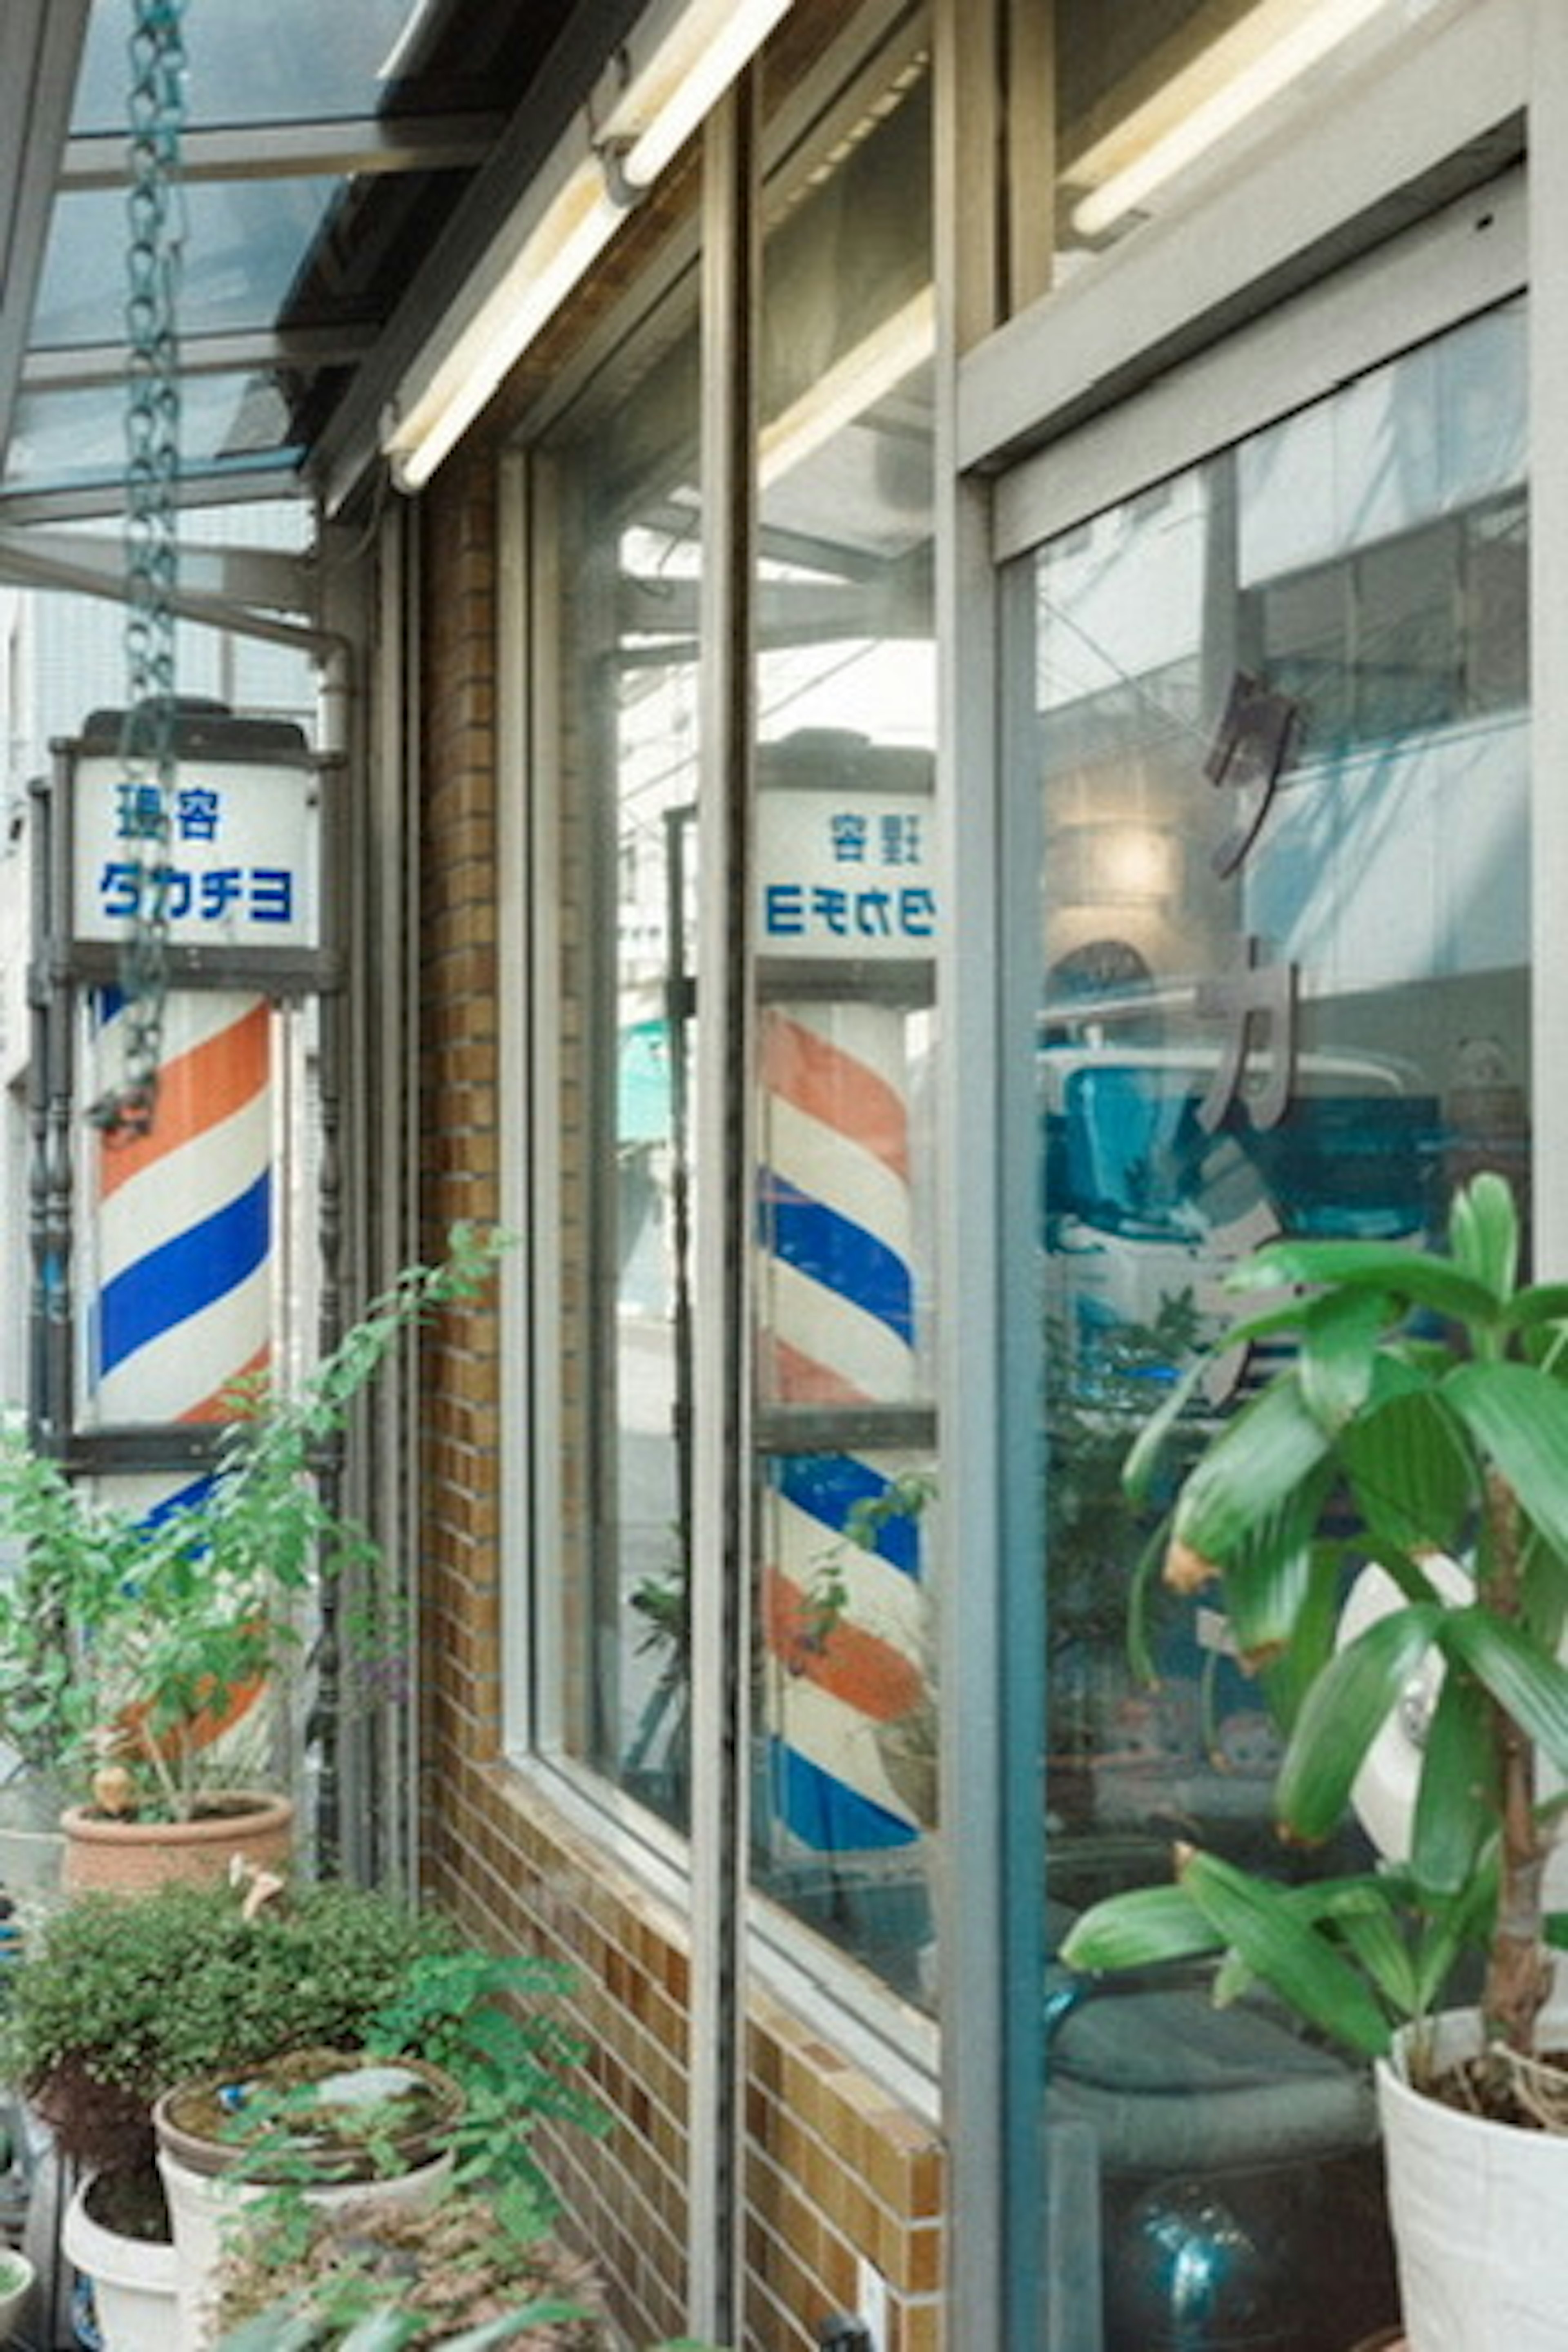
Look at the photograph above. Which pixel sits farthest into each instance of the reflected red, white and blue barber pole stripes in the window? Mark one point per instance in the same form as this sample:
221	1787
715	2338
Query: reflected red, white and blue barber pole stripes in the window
838	1330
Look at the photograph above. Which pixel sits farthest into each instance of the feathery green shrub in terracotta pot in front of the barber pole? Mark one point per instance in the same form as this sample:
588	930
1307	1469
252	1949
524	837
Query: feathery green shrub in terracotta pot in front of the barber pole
128	1641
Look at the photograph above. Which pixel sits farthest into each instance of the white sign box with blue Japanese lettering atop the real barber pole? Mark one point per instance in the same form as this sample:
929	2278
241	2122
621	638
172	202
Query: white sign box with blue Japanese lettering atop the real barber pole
232	862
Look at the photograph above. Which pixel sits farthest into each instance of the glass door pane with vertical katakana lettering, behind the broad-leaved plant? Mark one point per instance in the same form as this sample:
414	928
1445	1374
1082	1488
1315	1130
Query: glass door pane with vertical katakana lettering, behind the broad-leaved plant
1280	773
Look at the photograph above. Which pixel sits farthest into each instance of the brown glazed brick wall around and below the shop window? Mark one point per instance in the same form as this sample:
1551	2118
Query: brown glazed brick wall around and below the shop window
833	2165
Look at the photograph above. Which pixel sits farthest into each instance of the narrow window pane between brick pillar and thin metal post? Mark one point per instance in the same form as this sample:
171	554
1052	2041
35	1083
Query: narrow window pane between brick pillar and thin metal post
617	1060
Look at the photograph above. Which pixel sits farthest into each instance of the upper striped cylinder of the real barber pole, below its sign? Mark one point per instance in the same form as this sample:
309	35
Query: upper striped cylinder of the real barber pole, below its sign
185	1224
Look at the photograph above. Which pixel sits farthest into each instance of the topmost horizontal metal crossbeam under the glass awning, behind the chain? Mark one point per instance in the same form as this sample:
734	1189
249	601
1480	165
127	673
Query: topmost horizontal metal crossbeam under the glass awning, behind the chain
297	149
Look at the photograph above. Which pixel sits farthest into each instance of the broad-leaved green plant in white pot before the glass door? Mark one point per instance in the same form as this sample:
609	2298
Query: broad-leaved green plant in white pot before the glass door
1421	1436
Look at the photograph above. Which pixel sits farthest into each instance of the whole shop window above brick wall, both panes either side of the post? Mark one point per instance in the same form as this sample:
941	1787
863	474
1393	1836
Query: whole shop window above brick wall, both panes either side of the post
845	916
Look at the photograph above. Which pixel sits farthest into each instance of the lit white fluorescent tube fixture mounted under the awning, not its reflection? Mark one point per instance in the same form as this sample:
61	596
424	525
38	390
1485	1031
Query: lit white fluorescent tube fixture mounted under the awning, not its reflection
678	60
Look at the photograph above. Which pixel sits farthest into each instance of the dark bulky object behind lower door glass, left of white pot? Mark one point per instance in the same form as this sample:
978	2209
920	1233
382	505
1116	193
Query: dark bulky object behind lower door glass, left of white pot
1224	2160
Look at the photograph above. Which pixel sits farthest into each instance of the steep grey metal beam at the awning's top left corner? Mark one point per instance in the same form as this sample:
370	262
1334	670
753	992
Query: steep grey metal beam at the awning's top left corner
41	46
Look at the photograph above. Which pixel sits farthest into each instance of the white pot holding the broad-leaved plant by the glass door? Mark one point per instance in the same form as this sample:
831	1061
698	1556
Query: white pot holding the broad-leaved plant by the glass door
1477	2214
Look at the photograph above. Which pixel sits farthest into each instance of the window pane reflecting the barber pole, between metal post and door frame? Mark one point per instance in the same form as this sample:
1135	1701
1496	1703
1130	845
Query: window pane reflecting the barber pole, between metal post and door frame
847	918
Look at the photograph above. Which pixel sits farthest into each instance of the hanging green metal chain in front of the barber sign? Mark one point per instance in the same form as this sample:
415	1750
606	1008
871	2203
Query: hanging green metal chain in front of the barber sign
152	544
